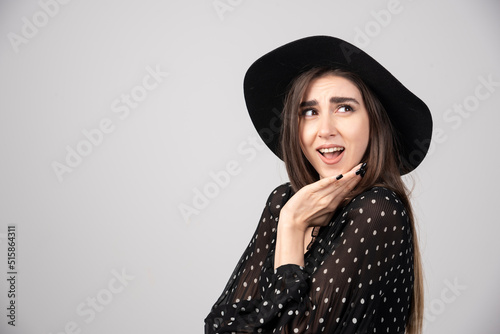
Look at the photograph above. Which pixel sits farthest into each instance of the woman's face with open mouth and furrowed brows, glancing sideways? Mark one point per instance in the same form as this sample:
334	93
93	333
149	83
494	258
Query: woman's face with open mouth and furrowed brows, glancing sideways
333	125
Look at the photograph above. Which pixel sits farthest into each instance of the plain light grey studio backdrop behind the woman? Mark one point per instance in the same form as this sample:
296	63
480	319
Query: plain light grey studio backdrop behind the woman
134	178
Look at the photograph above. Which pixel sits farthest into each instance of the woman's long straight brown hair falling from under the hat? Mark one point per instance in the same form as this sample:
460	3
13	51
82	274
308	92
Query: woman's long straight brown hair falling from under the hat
384	164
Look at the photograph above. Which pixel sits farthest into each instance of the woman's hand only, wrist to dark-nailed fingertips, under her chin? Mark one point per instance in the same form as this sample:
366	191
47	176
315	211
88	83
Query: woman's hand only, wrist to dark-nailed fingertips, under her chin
314	204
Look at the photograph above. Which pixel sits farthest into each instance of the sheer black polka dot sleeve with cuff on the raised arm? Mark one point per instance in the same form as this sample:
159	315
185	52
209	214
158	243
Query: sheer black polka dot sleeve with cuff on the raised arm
256	295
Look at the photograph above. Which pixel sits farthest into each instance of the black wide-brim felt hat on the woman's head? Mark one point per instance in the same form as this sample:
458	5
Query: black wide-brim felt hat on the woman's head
268	78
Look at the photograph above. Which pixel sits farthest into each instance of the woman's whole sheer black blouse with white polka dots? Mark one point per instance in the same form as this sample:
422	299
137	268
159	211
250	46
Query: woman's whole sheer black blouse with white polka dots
357	278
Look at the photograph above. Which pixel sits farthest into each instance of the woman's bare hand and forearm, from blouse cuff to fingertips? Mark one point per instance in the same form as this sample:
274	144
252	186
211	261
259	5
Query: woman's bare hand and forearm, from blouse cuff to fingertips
313	205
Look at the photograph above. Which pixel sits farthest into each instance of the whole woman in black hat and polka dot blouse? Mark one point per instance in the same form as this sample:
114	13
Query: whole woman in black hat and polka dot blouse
336	248
